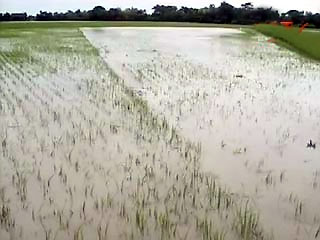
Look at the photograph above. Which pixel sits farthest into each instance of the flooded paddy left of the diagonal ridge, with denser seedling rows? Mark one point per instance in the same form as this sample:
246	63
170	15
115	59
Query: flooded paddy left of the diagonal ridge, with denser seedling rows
77	158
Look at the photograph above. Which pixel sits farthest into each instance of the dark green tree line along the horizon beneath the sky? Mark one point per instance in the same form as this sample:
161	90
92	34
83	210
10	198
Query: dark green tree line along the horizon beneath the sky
225	13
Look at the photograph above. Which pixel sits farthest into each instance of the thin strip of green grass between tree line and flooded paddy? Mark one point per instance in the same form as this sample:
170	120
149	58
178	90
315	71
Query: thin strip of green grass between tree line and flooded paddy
78	24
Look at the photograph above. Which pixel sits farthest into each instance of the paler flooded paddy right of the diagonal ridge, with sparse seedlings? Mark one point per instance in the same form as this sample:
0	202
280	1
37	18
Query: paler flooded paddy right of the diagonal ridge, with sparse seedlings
252	105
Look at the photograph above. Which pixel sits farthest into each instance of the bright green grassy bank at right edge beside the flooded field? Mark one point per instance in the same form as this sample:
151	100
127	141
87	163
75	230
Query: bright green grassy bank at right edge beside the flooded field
306	43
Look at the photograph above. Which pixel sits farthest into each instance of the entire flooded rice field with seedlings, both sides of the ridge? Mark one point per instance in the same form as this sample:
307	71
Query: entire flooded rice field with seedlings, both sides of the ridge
156	134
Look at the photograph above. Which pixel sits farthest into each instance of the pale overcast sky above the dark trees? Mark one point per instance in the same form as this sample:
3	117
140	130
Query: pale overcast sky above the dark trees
34	6
